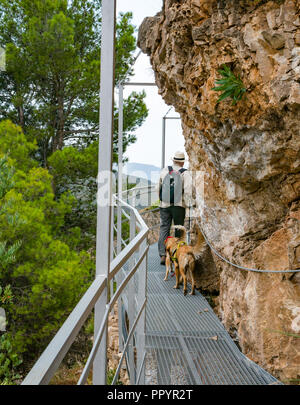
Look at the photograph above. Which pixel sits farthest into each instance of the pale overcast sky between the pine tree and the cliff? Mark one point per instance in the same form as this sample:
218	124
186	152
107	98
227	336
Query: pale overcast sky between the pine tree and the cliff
147	148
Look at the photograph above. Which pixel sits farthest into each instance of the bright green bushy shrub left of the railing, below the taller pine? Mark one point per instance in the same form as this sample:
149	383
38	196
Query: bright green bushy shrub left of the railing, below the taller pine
48	276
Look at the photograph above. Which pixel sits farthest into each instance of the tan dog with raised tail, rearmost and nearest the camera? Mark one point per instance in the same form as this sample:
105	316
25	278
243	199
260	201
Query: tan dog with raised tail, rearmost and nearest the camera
186	261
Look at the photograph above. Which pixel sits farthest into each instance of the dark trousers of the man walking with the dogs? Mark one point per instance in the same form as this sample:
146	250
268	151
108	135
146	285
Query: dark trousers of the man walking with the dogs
177	214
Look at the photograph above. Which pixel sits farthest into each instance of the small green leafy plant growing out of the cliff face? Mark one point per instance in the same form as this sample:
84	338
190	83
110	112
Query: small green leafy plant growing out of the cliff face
230	86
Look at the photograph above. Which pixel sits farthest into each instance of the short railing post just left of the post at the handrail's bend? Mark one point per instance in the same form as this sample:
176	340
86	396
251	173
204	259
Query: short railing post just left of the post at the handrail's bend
131	303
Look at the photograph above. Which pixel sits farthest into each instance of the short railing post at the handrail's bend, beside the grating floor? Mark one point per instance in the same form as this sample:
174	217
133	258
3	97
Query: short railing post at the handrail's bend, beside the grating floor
141	326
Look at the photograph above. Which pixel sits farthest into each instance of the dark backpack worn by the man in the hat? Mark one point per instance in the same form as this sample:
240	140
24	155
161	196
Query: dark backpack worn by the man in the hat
171	189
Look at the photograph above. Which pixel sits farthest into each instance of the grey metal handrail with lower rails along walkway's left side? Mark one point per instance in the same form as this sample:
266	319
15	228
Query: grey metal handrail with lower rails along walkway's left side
51	358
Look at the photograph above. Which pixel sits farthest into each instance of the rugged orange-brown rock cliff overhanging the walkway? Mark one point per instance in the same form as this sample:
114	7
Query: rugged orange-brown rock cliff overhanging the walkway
250	153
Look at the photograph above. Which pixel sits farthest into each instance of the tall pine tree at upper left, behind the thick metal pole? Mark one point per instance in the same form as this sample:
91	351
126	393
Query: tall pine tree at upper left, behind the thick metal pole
51	84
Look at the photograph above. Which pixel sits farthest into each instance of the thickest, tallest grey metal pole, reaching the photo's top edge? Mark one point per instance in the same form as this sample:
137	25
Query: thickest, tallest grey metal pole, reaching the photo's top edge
104	170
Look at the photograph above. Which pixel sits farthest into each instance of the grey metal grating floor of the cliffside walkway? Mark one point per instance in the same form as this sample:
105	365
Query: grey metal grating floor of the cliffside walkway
186	343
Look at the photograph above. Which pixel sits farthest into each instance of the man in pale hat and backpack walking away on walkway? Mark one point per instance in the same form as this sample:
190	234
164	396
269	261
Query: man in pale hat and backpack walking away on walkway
171	195
